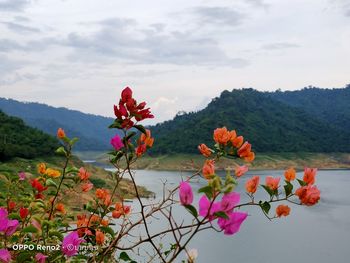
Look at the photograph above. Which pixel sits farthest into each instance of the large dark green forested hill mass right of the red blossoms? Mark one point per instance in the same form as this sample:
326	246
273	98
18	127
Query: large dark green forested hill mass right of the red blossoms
272	122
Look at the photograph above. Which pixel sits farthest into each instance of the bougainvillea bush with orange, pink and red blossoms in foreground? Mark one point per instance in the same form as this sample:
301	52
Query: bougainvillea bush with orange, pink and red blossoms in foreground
36	226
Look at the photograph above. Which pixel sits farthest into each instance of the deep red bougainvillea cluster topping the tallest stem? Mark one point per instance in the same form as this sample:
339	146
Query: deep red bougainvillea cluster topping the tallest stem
127	109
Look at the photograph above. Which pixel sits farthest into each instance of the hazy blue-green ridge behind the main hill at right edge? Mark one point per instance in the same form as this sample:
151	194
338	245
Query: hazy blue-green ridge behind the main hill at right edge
330	105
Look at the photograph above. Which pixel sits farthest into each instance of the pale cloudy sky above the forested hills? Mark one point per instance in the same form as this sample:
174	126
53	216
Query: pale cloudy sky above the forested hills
175	55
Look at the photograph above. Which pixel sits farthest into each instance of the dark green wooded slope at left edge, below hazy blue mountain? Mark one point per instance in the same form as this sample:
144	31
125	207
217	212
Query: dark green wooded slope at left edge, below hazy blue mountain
20	140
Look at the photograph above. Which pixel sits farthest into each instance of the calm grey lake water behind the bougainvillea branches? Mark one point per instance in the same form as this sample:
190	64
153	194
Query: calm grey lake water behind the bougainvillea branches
319	234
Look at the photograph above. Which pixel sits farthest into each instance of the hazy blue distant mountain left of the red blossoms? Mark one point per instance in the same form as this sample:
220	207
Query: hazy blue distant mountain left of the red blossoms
92	130
